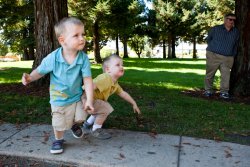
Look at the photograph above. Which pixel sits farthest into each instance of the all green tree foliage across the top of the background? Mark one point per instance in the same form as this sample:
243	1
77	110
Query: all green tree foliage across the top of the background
173	19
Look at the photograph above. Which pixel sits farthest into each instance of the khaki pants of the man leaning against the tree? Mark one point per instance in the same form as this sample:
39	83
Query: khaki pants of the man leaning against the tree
213	63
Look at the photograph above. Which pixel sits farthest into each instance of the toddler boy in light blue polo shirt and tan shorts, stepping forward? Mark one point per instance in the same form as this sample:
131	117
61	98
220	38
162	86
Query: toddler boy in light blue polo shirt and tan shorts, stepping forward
69	68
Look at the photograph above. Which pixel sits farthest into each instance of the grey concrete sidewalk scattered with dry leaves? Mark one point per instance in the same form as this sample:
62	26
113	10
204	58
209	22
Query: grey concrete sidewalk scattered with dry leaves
124	149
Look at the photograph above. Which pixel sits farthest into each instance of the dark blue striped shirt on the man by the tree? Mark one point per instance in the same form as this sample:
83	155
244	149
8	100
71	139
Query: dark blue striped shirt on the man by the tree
223	42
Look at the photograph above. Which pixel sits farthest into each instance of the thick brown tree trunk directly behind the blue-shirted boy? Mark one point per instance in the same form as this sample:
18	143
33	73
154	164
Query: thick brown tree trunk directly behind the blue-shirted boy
47	13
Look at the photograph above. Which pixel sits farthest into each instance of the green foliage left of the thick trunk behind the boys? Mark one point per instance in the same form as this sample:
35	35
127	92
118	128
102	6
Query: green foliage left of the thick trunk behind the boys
16	24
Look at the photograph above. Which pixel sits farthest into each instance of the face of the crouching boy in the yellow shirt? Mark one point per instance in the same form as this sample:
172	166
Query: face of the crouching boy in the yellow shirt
115	67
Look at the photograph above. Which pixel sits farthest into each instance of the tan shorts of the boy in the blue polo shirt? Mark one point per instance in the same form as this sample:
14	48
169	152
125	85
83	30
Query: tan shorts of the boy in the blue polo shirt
63	117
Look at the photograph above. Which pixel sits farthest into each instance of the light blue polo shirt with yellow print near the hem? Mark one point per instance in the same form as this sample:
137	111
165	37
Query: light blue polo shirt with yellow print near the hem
66	80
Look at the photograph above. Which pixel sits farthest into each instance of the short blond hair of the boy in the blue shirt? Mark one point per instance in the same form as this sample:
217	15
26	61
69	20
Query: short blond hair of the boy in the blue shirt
60	27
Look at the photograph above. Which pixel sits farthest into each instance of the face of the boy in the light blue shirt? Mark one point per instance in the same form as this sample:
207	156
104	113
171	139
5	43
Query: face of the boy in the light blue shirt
73	37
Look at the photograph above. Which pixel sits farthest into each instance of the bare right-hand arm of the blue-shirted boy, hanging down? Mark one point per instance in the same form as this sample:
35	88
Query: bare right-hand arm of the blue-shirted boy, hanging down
89	89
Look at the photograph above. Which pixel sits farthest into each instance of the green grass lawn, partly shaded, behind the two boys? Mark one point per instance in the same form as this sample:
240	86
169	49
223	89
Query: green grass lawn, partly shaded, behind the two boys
157	87
